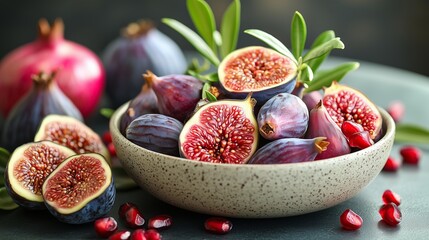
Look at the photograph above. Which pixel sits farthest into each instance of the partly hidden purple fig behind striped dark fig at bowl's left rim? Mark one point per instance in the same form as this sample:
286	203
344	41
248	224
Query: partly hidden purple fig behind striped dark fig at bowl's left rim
145	102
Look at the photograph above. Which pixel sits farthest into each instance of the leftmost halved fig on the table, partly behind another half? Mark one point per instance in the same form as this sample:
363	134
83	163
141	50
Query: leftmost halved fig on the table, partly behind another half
27	169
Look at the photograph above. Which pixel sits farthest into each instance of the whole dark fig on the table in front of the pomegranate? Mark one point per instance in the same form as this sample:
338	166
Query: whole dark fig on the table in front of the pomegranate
43	99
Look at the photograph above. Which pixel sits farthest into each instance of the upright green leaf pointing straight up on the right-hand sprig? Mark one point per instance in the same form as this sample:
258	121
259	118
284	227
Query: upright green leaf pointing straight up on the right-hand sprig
298	34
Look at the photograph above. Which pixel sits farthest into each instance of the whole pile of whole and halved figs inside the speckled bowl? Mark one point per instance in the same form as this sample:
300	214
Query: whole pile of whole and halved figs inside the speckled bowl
255	118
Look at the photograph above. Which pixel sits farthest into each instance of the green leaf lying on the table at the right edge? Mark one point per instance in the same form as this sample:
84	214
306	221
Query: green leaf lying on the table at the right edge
410	133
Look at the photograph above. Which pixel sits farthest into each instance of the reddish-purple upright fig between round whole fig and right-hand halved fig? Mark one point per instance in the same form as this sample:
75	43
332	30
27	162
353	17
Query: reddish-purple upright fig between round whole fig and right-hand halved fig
321	124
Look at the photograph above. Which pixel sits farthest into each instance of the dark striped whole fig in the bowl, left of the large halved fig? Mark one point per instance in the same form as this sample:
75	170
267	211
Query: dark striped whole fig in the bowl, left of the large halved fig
156	132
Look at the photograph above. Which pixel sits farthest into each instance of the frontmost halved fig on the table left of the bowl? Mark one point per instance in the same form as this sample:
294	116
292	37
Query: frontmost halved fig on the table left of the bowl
89	208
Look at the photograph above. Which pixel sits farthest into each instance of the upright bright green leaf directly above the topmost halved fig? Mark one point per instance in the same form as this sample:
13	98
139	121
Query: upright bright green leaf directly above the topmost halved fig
230	28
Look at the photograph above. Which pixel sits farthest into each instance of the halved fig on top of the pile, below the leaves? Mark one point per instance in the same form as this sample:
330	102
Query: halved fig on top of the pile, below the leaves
256	69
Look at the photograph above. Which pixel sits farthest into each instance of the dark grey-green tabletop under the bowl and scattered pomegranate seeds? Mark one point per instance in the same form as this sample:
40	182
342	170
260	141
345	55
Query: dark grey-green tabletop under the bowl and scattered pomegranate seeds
382	85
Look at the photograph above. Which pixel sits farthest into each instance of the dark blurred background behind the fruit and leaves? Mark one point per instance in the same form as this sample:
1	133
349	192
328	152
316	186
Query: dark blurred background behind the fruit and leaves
389	32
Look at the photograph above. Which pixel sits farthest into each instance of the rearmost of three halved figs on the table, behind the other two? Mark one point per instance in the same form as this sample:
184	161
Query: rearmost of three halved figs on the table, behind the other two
71	133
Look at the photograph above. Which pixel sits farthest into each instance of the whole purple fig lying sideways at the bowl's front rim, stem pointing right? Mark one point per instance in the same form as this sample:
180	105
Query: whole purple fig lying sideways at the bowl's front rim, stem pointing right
289	150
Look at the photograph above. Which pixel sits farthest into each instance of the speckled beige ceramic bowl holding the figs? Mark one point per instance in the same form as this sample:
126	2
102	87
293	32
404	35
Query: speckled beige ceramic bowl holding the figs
252	191
